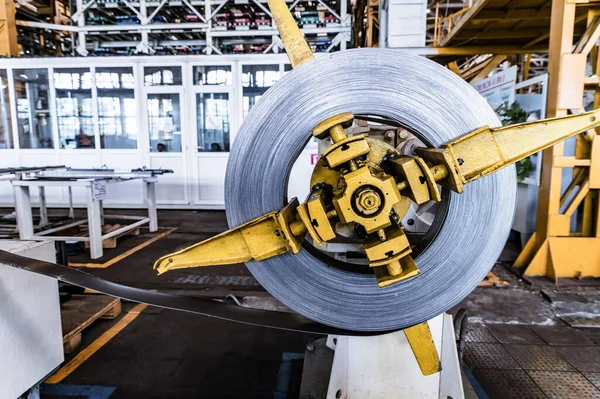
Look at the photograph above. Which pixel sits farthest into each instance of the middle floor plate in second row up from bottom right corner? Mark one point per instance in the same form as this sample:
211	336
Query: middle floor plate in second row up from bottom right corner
538	357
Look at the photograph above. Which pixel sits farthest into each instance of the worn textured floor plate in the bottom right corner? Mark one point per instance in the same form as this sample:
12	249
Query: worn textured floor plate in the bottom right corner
564	385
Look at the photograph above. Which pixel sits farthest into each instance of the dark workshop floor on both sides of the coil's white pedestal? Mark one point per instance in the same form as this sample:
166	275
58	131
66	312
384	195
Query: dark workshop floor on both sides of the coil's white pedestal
518	342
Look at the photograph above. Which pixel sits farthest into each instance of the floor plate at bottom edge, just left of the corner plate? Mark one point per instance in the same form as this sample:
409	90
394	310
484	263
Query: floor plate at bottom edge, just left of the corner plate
508	384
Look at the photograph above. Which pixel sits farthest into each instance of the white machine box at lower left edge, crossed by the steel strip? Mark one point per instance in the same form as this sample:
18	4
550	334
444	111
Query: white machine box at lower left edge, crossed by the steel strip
30	332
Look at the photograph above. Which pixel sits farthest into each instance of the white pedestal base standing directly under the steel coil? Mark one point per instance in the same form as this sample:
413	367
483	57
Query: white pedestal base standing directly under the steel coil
385	367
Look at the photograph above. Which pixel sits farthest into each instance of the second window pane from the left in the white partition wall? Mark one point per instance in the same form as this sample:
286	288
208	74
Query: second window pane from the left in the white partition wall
32	91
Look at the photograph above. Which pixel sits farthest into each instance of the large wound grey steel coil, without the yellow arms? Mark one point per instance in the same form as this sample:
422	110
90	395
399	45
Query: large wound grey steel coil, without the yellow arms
419	94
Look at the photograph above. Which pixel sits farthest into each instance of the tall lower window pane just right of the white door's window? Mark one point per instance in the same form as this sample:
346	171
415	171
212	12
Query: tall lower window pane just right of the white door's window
212	112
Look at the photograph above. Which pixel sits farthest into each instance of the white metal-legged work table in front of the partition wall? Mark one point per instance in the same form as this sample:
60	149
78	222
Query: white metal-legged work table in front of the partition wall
95	182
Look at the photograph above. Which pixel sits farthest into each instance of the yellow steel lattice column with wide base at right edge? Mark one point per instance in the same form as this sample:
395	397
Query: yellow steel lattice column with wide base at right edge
557	249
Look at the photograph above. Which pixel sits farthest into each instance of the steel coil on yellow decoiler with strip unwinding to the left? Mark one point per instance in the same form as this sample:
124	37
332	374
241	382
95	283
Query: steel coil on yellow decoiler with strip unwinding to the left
364	185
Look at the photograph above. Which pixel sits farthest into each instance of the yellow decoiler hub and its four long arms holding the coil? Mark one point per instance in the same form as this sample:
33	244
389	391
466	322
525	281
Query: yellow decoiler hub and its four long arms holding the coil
367	184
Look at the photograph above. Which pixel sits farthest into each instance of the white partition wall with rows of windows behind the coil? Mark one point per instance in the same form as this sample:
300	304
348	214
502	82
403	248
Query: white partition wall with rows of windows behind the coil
180	113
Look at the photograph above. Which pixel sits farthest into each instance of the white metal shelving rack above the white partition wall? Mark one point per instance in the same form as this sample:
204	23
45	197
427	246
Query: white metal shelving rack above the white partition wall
164	27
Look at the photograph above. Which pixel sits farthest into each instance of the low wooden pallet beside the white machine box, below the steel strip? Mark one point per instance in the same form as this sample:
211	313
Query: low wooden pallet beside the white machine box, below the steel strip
80	312
